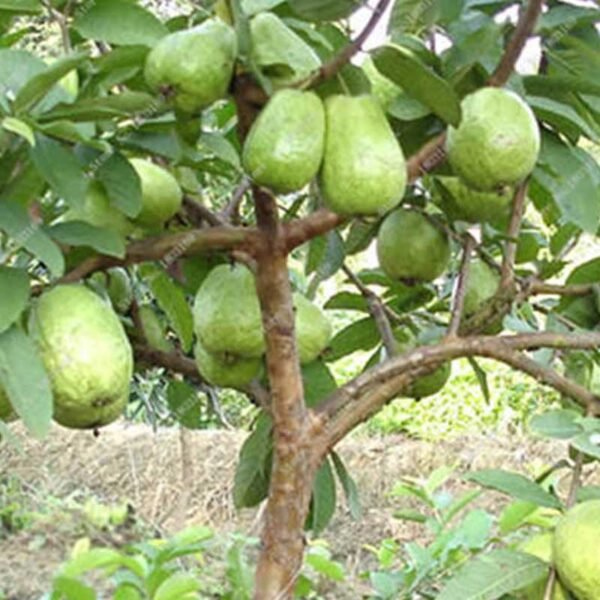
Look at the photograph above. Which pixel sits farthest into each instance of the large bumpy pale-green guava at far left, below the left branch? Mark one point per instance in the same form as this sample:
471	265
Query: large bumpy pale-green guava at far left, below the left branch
86	353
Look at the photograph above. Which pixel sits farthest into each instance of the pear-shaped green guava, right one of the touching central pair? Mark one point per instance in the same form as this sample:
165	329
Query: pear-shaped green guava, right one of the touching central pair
364	171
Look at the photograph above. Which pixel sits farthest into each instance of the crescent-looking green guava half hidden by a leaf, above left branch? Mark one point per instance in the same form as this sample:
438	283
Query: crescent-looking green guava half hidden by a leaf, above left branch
161	194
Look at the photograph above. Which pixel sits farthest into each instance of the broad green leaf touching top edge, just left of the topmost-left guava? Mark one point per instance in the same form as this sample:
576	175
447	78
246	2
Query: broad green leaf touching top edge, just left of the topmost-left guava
121	23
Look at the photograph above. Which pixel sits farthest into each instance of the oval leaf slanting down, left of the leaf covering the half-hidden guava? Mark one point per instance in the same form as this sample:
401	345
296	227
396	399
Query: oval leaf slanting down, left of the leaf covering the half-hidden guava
61	169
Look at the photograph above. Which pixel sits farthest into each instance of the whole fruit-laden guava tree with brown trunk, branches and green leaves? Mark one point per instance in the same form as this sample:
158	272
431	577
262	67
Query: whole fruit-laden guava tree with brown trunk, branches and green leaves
207	171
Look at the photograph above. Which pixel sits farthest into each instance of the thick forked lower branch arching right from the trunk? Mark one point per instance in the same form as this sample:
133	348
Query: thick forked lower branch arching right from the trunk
367	393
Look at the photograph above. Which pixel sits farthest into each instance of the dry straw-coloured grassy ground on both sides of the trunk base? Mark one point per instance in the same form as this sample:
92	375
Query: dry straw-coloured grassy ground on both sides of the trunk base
132	464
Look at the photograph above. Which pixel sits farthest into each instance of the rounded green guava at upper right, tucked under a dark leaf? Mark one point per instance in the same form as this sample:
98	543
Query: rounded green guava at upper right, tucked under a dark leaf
497	142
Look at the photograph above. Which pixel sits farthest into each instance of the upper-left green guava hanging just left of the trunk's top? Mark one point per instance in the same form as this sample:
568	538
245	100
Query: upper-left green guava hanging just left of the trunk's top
196	64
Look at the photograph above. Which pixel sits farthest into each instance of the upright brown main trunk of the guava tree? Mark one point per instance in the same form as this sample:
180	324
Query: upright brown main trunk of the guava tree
293	463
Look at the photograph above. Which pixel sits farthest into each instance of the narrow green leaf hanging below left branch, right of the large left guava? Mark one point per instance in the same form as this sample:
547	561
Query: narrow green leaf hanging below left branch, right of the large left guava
172	300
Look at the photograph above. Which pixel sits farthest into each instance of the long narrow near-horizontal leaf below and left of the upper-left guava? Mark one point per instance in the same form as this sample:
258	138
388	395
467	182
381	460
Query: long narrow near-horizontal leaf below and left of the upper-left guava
125	104
